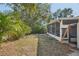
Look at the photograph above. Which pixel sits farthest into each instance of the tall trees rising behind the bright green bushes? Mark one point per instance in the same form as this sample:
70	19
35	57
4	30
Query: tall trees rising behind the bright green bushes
32	13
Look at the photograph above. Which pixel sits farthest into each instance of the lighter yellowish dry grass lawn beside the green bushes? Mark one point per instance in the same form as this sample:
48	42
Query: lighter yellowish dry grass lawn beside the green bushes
24	46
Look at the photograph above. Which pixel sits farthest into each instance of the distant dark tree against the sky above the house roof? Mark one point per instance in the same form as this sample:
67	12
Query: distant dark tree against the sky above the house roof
63	13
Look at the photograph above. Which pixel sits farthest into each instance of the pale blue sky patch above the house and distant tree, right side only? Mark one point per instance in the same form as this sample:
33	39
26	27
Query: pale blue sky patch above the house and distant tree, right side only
74	6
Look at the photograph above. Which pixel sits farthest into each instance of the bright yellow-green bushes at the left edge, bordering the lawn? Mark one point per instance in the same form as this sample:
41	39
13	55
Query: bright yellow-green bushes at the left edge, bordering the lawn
12	29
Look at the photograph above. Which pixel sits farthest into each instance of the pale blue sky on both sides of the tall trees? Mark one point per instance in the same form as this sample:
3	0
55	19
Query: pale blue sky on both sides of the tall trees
54	7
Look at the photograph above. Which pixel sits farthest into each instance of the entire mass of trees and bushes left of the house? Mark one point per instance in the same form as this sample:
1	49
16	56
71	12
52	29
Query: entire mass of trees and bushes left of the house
23	19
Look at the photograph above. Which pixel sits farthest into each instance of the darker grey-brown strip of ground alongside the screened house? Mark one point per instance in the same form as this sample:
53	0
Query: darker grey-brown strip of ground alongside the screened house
48	46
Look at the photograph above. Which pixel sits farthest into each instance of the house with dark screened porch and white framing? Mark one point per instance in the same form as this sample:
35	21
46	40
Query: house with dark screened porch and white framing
65	30
